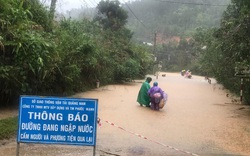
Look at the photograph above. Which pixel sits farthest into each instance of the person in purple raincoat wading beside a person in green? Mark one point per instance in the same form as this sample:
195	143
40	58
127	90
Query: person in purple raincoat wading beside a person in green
156	94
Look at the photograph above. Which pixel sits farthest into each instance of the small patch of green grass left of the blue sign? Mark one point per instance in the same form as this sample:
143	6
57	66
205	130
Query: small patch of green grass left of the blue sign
8	127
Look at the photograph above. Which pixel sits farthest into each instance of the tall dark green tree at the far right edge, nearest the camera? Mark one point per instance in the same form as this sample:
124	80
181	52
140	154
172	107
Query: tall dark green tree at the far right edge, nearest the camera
235	39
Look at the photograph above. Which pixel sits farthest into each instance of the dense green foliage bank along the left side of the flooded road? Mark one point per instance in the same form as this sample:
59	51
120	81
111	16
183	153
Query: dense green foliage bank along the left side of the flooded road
41	58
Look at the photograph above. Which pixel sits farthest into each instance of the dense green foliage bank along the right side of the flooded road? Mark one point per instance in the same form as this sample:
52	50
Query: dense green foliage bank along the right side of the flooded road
228	48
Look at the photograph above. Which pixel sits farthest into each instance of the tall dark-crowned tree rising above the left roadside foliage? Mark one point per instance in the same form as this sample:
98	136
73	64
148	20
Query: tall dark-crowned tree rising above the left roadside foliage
112	17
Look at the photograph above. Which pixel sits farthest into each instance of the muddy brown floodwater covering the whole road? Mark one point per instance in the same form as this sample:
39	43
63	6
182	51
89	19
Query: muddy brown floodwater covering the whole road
199	119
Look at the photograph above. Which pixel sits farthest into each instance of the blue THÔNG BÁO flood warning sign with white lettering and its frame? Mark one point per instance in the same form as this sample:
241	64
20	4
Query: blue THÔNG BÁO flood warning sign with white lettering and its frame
57	120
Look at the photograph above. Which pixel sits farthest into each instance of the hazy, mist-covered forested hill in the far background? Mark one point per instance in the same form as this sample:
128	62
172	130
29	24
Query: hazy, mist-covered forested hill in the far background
173	18
